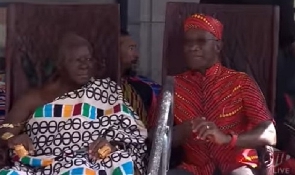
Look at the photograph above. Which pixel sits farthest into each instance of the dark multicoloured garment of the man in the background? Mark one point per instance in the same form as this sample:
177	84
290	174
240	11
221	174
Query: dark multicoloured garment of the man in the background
142	94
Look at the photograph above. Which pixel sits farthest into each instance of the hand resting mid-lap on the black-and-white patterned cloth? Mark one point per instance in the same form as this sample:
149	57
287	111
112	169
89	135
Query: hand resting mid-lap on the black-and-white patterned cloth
98	145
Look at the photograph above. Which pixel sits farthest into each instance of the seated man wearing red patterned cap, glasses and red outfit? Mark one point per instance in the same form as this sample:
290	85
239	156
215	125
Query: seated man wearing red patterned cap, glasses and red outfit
220	114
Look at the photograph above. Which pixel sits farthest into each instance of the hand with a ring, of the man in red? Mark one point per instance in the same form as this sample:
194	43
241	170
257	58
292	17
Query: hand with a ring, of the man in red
206	130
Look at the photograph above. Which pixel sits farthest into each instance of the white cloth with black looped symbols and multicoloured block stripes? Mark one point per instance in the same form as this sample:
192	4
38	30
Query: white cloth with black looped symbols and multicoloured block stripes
63	128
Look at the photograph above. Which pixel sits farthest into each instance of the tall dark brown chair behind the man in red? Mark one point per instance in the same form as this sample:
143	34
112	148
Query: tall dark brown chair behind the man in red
250	45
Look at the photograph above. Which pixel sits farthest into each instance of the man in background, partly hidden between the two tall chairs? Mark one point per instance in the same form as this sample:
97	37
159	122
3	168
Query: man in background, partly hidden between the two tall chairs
139	91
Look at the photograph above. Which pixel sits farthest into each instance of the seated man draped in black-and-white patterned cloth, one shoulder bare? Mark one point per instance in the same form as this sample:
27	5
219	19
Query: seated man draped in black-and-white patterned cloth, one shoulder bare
74	124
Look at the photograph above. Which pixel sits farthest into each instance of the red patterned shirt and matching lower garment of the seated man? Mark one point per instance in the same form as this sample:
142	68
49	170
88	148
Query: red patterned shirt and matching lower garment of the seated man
230	99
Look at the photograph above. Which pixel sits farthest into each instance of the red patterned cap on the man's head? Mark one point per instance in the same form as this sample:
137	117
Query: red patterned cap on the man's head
207	23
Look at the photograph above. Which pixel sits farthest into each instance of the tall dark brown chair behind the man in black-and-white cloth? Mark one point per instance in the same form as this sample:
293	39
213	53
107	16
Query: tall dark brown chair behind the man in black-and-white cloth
34	32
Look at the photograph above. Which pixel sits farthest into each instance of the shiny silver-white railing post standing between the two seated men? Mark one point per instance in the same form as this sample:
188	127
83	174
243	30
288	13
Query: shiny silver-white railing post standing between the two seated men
161	146
